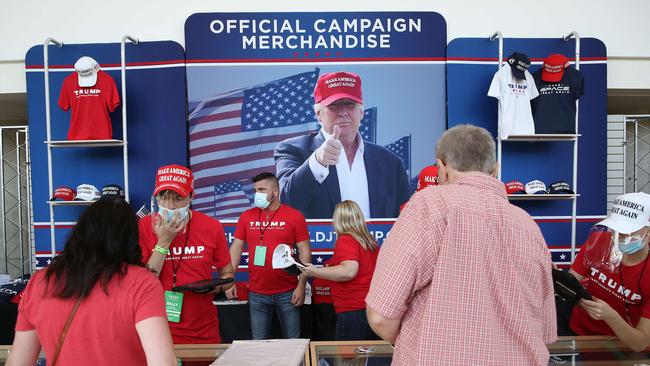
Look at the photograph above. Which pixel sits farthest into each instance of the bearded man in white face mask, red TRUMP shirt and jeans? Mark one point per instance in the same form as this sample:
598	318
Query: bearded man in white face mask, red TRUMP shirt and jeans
262	228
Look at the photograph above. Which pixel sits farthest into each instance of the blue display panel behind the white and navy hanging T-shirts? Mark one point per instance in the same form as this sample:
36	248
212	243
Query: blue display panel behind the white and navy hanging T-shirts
471	65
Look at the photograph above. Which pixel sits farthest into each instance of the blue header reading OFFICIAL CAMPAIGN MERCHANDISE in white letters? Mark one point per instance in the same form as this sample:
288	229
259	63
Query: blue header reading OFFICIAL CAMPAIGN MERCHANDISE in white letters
321	37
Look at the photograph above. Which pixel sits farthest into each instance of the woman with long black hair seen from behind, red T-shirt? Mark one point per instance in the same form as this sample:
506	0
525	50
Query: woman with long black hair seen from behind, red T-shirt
95	304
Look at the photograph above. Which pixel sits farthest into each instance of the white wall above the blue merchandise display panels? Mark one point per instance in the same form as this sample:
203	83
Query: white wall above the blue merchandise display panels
623	26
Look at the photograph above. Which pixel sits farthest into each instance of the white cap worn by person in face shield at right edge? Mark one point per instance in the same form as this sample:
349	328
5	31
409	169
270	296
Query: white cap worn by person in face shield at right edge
630	212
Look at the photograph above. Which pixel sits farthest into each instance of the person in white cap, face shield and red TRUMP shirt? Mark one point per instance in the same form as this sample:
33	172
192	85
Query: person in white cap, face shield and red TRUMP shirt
621	293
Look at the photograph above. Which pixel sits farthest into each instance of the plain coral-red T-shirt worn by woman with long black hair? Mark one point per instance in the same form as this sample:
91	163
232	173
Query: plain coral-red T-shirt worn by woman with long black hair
103	329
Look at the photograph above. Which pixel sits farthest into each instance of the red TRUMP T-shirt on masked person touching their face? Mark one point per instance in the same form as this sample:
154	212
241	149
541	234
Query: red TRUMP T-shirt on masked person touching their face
195	257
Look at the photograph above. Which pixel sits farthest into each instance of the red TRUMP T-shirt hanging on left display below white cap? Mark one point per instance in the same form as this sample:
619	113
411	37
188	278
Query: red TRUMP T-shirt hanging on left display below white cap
90	107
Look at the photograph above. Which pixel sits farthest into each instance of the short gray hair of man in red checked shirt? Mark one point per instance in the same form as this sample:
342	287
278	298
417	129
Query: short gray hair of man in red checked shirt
467	148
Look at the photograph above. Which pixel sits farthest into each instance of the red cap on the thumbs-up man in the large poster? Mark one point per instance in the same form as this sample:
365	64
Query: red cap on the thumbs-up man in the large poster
333	86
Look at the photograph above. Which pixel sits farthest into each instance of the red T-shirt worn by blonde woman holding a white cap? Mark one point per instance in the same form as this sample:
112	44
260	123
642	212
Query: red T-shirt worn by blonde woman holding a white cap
351	295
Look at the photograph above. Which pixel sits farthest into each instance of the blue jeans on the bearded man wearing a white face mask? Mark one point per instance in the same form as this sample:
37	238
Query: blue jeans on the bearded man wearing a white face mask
262	307
